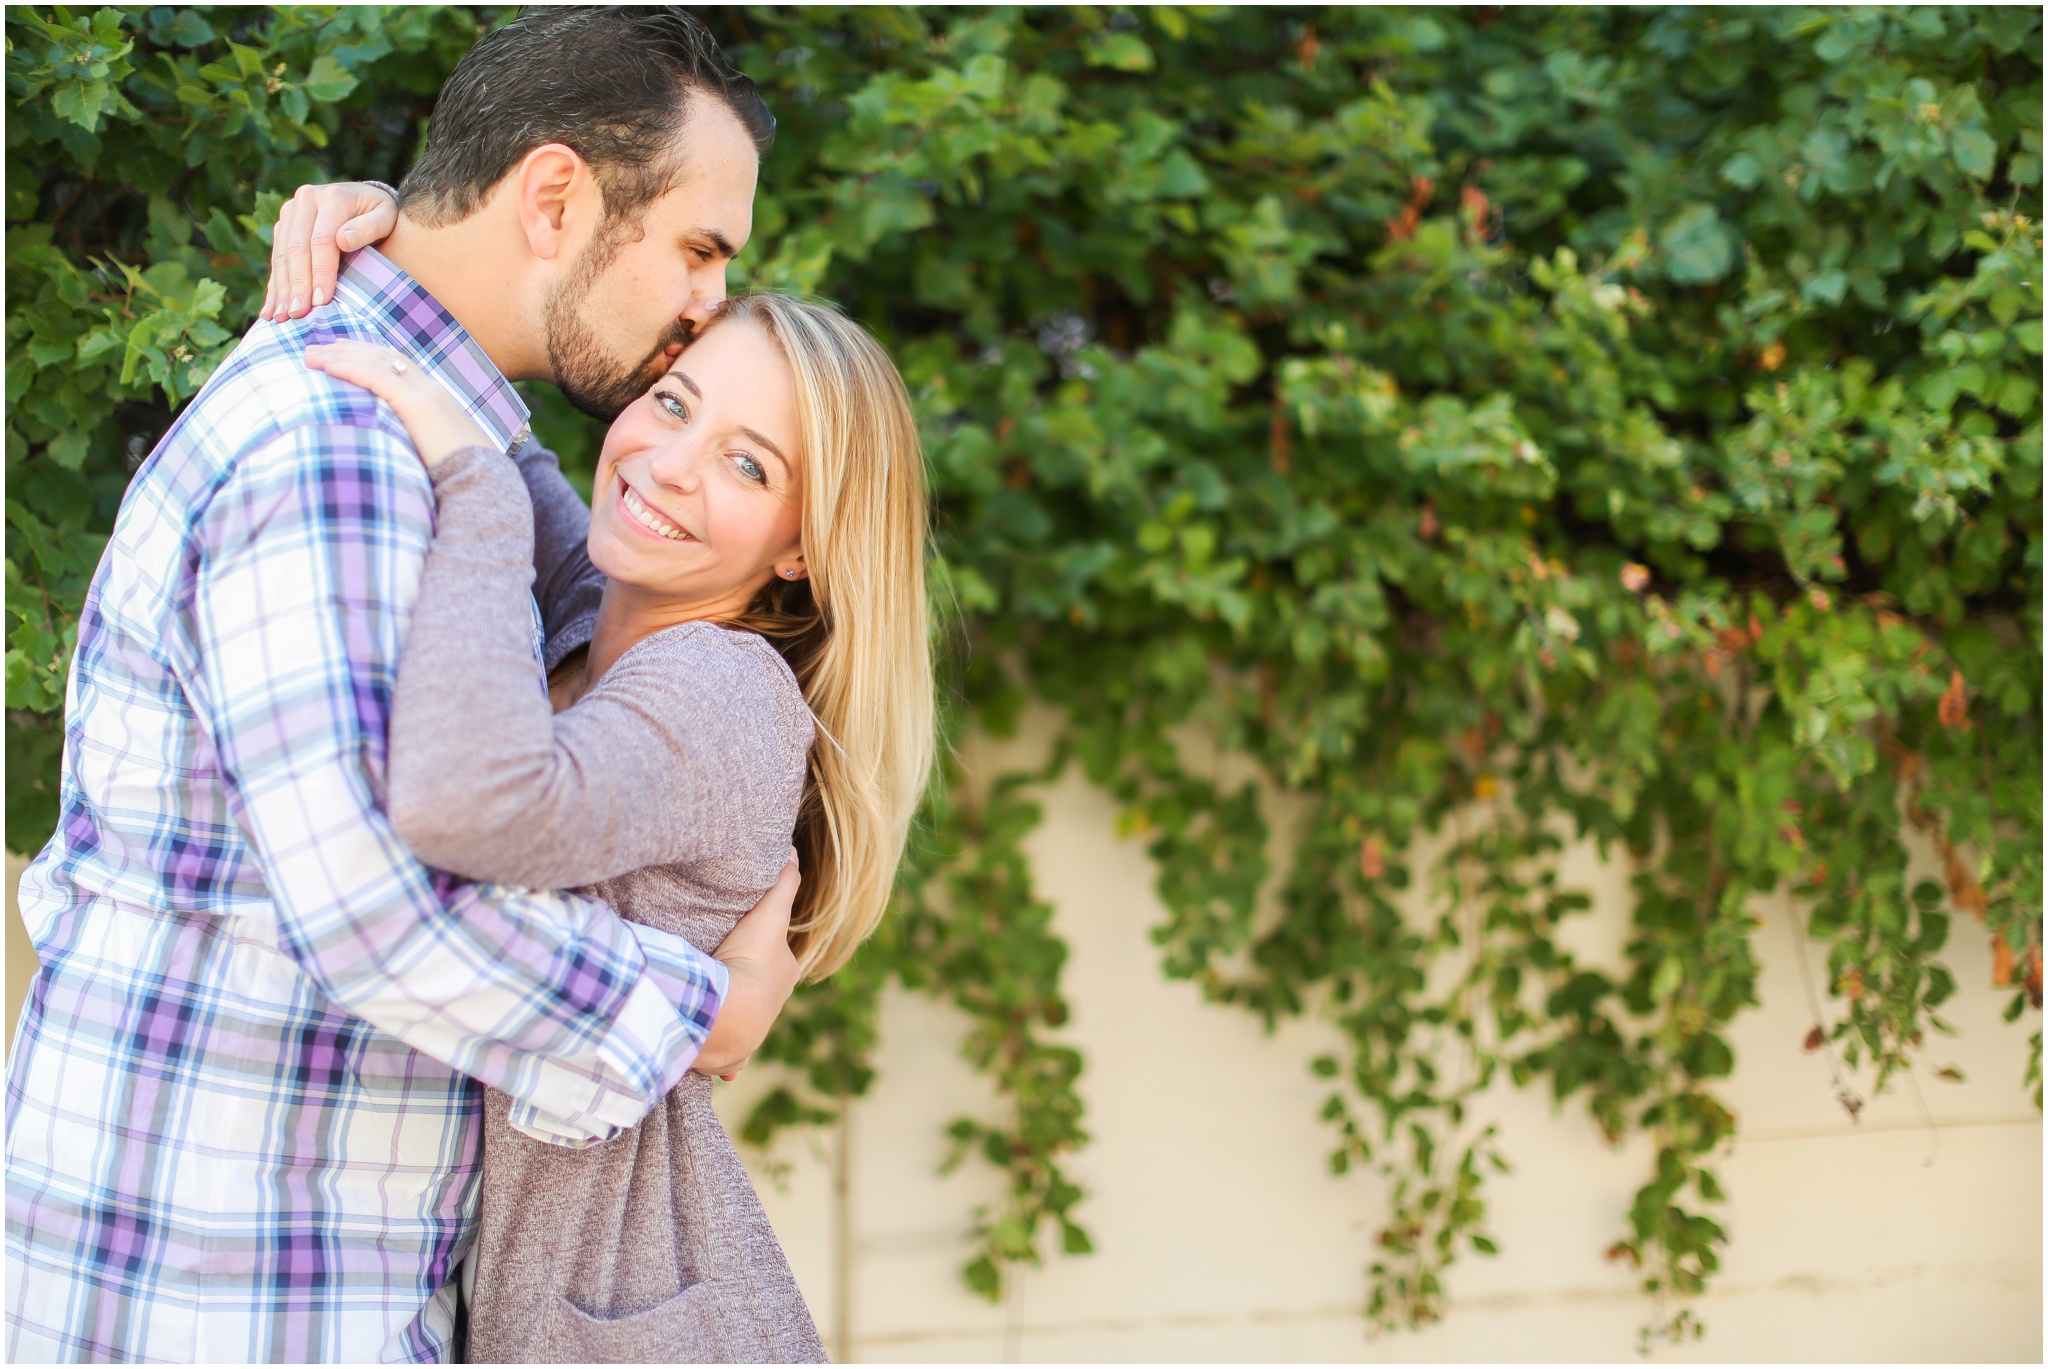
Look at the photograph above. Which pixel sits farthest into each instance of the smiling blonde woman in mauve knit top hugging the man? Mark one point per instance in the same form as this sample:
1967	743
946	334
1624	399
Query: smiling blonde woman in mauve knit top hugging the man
749	579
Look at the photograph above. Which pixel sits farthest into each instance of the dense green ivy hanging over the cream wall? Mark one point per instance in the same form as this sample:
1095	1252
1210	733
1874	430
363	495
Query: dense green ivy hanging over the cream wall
1519	425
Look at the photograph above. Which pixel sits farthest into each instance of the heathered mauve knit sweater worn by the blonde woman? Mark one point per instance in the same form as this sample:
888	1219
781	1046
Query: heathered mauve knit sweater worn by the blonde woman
671	792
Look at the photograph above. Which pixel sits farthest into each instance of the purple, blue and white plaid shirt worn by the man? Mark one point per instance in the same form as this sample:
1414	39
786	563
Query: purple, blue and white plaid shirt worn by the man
243	1110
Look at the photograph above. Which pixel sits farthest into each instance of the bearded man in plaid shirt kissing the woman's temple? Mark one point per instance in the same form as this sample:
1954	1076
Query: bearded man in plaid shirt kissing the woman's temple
243	1108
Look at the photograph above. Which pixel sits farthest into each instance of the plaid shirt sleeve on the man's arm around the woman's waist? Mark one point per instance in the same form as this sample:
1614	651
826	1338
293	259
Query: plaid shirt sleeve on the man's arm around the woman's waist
304	575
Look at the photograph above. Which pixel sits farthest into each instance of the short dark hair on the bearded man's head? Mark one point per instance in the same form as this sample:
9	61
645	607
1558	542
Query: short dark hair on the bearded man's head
607	81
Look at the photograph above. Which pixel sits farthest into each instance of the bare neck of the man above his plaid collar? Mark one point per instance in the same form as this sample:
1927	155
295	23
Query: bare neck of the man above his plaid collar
470	276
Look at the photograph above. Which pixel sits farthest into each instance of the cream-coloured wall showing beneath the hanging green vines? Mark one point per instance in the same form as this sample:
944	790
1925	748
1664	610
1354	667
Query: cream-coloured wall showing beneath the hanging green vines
1222	1237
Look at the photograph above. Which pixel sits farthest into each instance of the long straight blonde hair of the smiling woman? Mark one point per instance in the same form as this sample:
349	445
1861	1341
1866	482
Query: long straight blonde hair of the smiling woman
857	630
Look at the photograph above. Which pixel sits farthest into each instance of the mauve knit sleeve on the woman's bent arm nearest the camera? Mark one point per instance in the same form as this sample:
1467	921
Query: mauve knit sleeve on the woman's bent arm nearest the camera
683	749
